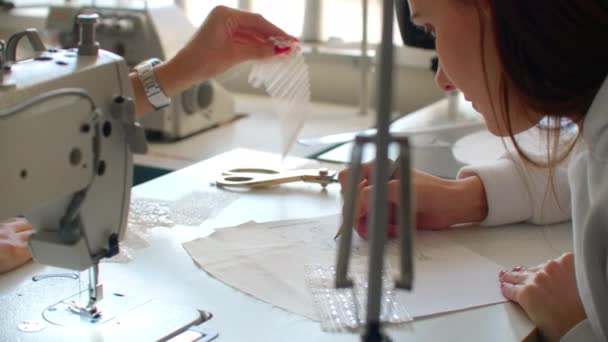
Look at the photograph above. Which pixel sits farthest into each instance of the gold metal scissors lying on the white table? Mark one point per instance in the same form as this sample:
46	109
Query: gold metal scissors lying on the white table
258	178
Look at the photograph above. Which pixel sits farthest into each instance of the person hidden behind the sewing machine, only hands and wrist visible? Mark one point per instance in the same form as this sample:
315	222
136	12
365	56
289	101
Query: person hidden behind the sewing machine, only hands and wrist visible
226	38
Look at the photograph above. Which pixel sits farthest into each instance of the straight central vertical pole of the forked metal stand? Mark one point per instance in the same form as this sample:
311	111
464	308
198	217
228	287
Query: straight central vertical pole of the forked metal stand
379	210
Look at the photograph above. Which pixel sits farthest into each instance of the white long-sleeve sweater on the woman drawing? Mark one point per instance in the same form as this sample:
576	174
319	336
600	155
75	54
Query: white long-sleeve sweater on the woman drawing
516	193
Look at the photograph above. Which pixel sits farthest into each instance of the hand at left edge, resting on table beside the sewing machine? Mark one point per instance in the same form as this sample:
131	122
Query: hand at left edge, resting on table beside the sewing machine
14	251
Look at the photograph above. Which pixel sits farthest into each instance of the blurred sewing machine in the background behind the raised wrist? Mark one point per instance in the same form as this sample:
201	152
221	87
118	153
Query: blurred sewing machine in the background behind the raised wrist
139	33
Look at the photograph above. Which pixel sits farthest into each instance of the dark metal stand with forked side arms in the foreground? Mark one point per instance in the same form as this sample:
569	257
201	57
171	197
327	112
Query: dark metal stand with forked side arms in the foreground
379	206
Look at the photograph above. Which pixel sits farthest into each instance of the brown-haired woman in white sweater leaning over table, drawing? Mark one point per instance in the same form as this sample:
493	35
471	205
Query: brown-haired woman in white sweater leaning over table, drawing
519	61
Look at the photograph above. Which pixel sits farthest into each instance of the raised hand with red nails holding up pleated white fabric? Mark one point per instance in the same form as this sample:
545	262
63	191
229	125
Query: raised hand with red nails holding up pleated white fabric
226	38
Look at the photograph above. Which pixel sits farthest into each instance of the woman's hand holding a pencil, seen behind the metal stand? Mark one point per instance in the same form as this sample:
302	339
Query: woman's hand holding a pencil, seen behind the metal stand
439	203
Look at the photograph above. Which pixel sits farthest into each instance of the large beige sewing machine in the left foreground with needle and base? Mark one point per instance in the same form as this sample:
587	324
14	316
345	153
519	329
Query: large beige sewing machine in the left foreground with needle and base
67	138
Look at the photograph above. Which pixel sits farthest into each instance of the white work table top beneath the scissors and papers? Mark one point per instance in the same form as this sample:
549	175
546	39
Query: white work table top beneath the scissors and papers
164	270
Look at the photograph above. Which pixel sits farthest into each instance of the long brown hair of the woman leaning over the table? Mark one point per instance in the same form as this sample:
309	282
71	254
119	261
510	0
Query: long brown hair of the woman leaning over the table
554	55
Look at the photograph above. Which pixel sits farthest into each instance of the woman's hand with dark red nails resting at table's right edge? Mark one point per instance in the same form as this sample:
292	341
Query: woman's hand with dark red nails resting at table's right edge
548	294
